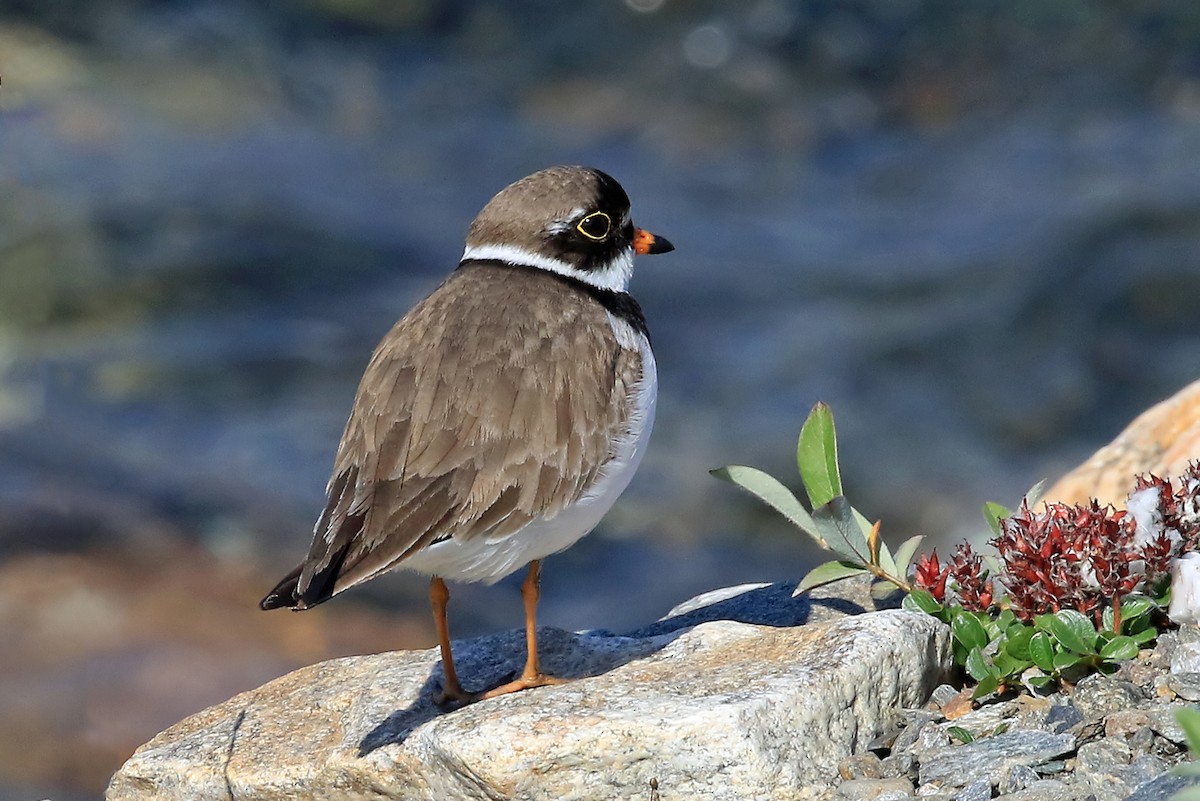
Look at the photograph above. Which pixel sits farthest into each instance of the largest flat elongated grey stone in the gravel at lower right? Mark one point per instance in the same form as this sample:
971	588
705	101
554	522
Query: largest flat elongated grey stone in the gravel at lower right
992	757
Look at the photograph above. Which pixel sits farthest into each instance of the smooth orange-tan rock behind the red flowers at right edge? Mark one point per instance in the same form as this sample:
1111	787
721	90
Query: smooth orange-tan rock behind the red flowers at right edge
1161	441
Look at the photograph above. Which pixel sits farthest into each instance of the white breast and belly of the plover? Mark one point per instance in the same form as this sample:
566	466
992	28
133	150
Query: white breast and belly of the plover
482	561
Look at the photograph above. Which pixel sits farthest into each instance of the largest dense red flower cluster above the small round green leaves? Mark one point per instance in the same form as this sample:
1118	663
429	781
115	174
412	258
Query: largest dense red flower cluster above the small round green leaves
1076	557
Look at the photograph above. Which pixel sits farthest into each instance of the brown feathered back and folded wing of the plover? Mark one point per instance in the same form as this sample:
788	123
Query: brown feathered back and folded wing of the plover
493	403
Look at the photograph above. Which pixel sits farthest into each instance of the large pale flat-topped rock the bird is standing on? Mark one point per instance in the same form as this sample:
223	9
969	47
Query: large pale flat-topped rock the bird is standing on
725	709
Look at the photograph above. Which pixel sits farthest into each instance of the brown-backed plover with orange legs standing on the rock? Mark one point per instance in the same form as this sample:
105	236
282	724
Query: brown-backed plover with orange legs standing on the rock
502	417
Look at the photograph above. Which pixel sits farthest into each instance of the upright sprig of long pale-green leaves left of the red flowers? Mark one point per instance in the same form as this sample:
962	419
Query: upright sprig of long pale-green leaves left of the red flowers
835	525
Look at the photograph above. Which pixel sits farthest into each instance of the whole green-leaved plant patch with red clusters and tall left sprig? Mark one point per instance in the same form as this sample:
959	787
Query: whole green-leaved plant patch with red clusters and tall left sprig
1075	588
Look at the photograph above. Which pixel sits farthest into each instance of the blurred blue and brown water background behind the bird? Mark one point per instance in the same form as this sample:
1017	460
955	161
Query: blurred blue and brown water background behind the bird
970	226
